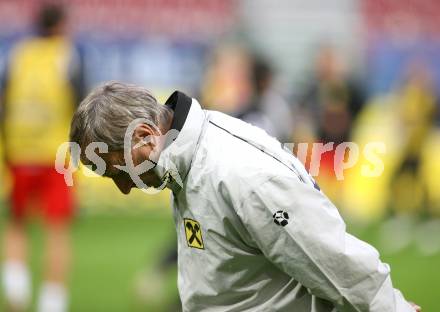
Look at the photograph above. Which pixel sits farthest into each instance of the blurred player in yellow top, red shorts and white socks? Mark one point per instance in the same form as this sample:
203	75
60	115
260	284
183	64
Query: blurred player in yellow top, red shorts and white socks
42	84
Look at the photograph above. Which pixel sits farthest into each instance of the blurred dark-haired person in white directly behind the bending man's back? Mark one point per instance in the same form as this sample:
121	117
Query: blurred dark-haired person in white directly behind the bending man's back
267	109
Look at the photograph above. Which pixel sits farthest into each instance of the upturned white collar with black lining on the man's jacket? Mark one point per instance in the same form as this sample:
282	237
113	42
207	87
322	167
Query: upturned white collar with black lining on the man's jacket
175	160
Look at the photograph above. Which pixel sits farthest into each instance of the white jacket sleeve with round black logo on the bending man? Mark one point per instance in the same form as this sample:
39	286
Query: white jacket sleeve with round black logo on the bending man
314	248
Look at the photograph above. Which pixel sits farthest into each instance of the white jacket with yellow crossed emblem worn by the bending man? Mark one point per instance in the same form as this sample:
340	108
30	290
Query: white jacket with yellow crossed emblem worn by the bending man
254	231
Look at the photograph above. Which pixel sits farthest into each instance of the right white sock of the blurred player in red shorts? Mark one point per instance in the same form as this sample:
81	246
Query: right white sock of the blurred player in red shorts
53	298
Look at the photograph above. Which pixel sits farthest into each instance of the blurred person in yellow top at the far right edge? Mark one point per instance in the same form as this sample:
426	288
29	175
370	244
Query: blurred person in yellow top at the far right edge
416	105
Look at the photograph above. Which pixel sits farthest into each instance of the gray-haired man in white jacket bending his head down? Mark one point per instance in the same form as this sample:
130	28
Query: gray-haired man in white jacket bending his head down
255	233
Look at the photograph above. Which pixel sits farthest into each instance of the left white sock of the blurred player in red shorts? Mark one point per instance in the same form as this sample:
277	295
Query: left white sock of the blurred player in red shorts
16	284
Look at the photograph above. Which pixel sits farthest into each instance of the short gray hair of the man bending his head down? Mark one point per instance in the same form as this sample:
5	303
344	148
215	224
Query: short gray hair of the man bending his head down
104	115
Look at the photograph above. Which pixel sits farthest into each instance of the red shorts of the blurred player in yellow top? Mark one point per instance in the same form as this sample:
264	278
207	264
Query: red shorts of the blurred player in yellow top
41	187
